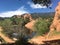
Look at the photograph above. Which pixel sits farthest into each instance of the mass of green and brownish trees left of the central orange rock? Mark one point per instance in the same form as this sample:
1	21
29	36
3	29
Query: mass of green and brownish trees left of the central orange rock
15	25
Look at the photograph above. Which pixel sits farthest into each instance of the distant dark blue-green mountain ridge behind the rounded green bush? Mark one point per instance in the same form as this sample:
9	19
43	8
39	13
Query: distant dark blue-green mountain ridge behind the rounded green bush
43	15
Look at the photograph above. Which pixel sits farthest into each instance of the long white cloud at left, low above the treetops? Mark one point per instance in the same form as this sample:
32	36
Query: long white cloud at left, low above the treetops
19	11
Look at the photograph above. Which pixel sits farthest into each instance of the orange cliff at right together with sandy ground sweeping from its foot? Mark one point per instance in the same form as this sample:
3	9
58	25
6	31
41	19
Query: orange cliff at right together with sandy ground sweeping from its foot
54	26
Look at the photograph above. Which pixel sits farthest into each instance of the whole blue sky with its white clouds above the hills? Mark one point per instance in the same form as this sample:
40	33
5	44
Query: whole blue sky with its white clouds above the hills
9	8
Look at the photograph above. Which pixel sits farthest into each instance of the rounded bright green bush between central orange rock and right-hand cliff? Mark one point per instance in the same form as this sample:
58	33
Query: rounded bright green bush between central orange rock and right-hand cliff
41	26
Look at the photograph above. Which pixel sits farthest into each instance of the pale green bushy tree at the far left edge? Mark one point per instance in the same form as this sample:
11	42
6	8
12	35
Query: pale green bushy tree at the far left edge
7	26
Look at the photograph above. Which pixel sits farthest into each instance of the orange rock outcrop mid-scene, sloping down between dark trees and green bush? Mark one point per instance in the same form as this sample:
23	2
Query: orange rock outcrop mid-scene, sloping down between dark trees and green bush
30	24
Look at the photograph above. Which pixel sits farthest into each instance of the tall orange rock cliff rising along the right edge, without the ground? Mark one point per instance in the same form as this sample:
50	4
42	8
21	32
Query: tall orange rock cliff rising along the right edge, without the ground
56	21
